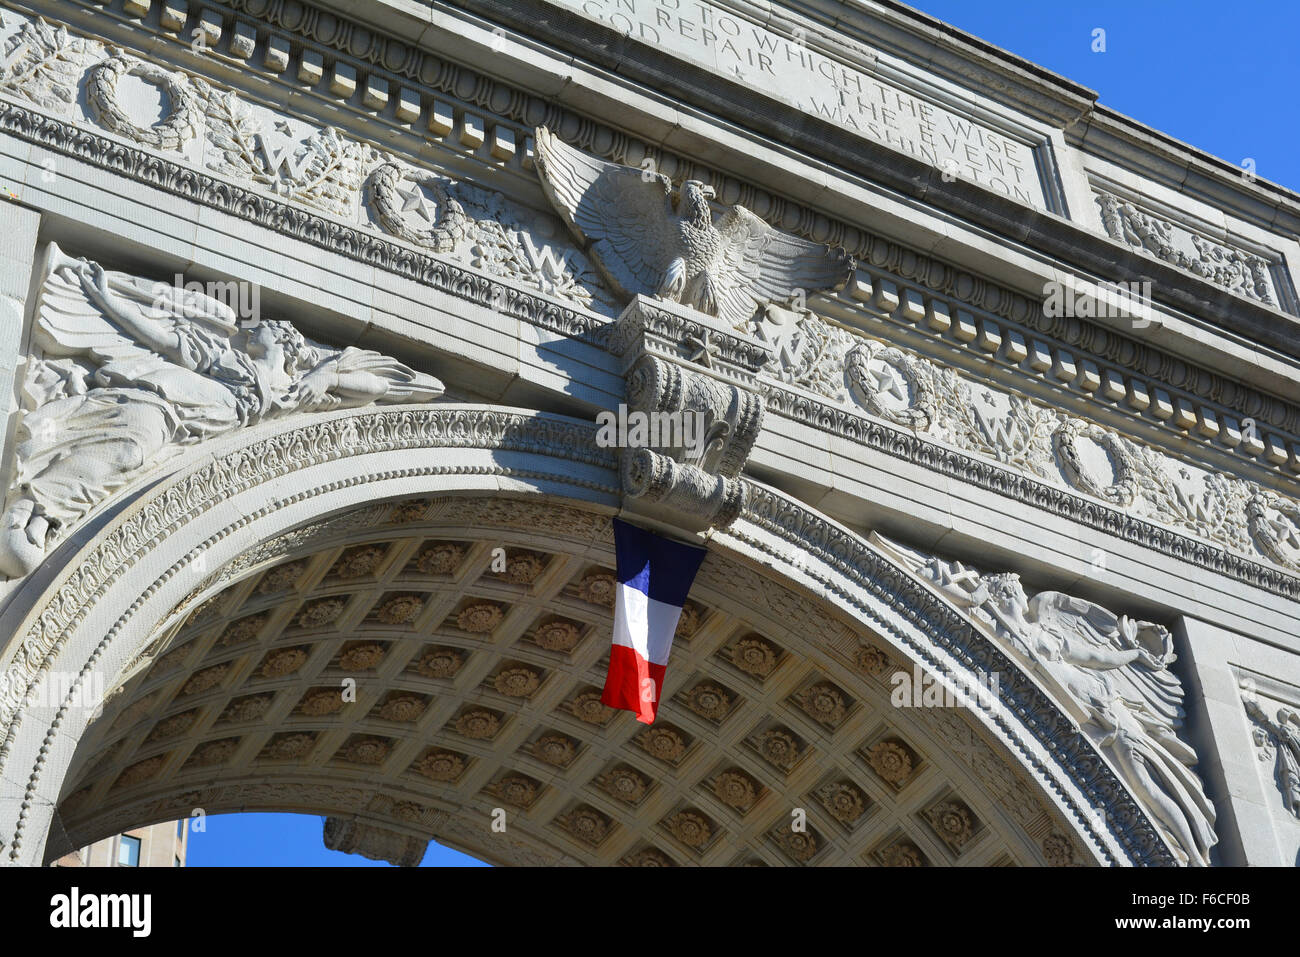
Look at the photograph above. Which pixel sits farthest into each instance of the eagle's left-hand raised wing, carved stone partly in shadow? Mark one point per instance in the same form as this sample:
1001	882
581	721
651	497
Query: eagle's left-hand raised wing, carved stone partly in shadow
622	216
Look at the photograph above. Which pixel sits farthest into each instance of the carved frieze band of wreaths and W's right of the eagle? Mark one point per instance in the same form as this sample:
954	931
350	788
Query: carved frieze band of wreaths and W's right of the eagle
1037	441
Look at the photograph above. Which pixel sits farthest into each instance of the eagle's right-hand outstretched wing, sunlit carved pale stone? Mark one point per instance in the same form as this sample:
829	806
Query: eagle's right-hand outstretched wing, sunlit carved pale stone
757	265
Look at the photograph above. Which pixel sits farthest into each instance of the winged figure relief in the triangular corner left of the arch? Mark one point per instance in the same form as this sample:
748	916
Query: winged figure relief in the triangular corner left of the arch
132	370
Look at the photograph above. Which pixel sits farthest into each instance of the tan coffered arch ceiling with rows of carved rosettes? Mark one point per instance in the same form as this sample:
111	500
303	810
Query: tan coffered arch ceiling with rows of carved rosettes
479	688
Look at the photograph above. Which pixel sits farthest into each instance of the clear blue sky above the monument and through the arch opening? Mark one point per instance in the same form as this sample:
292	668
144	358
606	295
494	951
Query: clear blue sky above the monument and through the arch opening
1219	76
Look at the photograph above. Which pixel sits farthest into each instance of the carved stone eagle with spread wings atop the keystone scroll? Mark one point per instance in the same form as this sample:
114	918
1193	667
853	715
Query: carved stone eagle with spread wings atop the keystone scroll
643	241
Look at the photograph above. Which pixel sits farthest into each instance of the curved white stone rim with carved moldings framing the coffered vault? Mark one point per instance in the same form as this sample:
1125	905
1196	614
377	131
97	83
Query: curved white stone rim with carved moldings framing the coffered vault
112	587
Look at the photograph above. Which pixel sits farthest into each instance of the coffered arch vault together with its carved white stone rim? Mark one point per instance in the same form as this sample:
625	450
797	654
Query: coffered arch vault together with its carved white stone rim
244	594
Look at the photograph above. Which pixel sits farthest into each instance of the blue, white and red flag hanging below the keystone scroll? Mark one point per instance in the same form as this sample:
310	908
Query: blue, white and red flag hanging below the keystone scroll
655	578
